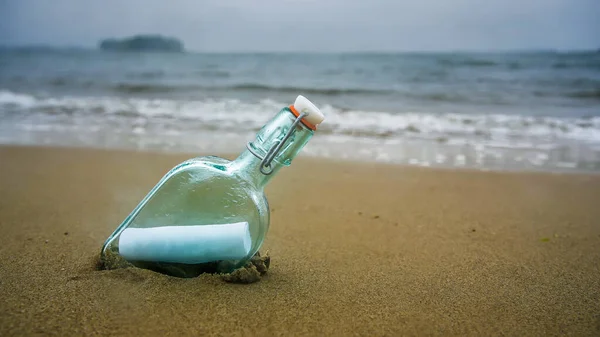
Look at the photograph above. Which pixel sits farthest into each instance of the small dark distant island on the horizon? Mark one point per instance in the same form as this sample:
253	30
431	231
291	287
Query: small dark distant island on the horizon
143	43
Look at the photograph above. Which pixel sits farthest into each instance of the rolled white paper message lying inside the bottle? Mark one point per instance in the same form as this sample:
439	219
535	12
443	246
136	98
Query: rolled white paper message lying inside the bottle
186	244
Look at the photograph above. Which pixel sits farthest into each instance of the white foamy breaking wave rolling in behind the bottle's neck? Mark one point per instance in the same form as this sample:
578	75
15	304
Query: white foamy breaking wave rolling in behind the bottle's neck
234	114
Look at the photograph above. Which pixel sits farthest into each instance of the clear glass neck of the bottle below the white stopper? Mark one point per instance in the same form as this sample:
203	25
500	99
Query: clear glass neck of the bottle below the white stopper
249	163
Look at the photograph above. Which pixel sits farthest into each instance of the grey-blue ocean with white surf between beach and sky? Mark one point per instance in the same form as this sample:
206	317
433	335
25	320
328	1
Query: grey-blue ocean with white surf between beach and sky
491	111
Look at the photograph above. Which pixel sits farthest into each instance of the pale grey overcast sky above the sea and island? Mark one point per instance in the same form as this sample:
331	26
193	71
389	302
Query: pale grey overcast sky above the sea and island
310	25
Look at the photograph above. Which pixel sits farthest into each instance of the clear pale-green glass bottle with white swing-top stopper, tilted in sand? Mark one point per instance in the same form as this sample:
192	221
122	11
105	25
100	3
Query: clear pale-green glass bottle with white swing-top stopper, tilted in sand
209	214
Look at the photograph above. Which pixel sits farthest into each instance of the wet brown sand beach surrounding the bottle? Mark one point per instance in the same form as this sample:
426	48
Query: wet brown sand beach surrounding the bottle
356	249
